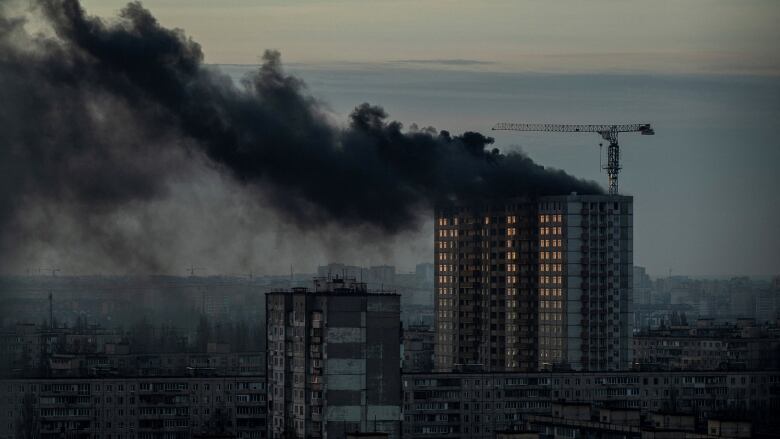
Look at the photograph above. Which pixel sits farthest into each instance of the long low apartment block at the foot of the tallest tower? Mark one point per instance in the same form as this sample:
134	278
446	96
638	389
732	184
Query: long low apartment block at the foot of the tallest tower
479	404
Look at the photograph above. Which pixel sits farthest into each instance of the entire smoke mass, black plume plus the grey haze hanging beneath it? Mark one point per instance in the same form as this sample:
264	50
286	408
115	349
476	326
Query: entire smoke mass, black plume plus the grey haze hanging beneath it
121	151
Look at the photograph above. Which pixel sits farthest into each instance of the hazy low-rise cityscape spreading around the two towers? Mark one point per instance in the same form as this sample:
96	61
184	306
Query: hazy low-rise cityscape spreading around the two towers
141	332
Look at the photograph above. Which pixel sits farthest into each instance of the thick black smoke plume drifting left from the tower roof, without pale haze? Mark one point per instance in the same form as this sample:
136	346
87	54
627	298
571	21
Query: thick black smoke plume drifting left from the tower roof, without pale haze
100	115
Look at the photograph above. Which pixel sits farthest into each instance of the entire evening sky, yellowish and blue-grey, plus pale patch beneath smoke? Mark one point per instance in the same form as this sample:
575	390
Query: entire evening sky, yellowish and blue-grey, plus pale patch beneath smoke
704	73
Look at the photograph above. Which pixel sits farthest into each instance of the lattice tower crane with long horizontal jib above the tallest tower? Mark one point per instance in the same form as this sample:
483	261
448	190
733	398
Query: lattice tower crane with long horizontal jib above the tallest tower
608	132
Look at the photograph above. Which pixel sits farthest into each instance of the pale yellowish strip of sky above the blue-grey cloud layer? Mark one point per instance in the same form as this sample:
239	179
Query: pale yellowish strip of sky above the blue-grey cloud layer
703	36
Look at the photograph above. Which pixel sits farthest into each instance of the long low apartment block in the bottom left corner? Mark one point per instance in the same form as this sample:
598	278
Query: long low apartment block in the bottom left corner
133	408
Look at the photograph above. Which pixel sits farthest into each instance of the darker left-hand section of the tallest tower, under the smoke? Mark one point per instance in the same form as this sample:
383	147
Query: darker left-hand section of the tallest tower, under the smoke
486	286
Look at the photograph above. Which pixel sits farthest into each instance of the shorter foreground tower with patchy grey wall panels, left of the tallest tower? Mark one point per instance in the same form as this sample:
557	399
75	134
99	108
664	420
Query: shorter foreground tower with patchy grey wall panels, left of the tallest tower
333	359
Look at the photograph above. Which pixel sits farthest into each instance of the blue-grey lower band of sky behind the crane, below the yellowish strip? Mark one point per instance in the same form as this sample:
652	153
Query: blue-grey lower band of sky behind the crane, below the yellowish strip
704	187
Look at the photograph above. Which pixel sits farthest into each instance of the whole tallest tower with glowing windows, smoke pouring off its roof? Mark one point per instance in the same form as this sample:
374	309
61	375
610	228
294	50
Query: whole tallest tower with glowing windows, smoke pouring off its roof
526	284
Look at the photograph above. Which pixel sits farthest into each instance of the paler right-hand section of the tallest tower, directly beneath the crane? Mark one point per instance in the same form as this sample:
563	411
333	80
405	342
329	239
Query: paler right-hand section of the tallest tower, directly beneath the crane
585	282
